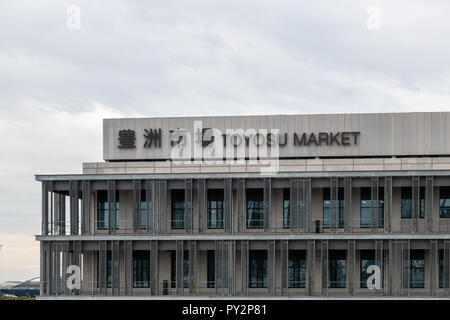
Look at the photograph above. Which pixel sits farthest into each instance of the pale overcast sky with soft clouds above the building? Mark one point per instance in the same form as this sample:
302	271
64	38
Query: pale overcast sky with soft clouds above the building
180	58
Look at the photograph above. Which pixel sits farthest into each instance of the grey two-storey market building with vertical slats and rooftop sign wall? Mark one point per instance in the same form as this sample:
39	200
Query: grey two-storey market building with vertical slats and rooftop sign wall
286	205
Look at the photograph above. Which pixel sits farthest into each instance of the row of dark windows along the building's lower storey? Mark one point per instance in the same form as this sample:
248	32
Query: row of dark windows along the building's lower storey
296	269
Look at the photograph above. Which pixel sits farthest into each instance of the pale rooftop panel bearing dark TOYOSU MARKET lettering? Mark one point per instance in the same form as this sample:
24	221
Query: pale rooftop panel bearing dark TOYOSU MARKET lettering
295	136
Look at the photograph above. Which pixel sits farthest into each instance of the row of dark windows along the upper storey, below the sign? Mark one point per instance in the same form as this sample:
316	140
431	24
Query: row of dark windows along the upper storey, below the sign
255	208
